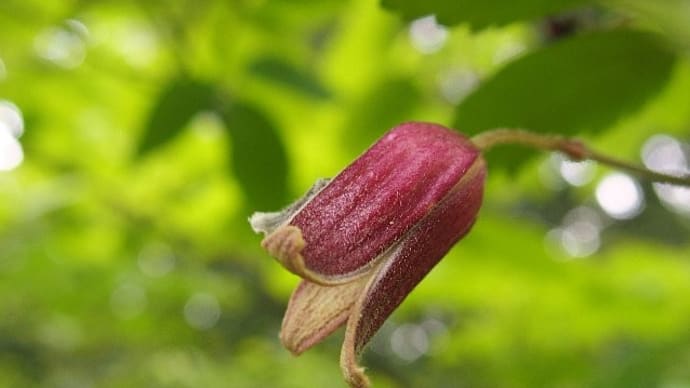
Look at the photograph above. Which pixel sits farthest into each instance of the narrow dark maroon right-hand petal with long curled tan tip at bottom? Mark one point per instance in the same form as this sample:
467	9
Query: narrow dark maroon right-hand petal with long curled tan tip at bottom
411	259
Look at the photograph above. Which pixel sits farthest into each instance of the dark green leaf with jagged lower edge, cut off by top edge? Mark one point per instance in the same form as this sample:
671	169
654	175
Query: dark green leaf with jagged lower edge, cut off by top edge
480	14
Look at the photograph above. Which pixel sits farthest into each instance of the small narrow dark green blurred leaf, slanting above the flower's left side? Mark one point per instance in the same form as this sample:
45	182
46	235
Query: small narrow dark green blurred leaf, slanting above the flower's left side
278	71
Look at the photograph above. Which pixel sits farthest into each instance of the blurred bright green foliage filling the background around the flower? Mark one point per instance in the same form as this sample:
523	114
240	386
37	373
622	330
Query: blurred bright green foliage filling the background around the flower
153	129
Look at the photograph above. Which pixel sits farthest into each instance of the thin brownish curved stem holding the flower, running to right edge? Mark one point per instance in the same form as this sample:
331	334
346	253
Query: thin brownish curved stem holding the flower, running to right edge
574	149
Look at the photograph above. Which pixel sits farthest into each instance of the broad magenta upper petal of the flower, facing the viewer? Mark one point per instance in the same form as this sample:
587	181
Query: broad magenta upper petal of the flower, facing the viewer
371	204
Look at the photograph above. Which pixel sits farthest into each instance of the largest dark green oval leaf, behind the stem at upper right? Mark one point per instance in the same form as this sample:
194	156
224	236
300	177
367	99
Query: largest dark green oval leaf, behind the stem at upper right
582	84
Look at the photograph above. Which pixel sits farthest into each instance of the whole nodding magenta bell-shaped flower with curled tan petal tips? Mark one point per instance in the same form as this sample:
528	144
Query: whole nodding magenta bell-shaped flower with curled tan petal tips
363	240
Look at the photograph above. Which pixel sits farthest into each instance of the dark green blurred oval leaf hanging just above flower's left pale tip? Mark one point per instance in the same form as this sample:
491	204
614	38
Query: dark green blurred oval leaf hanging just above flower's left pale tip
258	156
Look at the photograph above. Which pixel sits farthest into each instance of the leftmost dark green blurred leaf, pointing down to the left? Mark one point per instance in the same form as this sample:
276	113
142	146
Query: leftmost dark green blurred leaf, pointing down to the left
178	102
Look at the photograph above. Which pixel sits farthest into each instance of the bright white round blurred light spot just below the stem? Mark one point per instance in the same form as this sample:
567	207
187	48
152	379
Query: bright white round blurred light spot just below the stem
620	196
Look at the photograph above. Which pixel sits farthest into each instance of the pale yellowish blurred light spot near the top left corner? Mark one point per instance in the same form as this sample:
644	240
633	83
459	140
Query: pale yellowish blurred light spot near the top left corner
64	46
